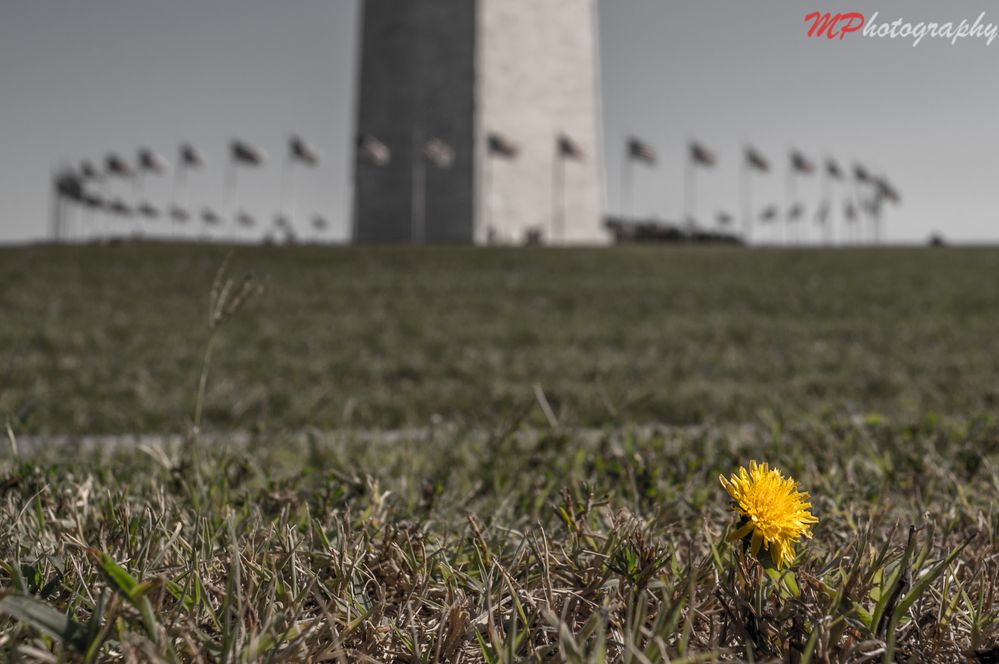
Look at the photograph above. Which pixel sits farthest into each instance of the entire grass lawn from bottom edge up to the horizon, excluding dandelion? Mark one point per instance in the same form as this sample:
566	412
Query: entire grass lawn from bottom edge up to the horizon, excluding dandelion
492	527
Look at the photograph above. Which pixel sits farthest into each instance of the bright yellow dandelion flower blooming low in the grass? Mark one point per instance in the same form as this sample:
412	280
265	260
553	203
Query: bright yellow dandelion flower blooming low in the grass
773	511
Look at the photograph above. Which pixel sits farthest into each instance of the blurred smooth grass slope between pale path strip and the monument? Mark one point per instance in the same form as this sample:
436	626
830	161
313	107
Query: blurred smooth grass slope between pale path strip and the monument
110	339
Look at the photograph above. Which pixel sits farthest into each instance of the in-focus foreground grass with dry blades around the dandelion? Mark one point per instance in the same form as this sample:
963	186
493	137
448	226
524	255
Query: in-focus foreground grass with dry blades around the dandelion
538	547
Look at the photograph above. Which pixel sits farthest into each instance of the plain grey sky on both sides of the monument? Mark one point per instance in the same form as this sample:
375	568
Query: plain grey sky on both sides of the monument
79	80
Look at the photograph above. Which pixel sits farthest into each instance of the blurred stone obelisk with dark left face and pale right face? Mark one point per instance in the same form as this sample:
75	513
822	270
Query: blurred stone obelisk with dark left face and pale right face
477	123
